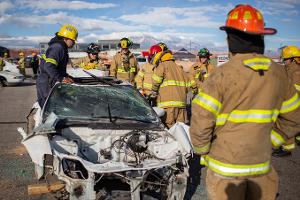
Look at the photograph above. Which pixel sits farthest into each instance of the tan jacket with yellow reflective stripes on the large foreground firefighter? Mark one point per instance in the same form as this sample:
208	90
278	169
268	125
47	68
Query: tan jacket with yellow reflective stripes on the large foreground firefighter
244	107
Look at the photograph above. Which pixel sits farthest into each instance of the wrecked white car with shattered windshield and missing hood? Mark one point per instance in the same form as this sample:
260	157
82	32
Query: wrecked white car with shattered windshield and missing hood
103	141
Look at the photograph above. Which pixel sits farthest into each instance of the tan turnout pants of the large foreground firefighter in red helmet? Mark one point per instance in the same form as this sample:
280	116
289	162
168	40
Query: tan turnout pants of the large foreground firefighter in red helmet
263	187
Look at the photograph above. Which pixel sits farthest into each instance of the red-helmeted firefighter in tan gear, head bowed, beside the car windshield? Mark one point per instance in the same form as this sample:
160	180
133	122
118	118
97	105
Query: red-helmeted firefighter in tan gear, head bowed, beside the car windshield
169	85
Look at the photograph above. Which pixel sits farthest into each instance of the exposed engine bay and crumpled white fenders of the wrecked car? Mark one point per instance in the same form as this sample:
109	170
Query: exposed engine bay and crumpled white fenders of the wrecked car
99	149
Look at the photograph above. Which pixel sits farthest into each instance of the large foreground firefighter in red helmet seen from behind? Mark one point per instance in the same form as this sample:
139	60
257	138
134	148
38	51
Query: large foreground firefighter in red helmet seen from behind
244	107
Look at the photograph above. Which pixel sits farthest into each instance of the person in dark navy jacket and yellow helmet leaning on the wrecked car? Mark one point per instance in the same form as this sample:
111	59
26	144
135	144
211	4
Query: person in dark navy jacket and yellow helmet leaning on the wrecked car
54	63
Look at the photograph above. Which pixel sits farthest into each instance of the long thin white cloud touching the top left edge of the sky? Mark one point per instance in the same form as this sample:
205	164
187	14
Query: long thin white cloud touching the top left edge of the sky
63	5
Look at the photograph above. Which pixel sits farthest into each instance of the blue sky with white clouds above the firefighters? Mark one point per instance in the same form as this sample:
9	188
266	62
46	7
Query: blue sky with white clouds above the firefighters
179	23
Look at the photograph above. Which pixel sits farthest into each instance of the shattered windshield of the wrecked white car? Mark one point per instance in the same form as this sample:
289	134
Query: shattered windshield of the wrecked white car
99	102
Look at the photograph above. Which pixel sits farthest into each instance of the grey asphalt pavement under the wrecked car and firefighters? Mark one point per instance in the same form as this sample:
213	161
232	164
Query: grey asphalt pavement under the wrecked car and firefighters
16	169
